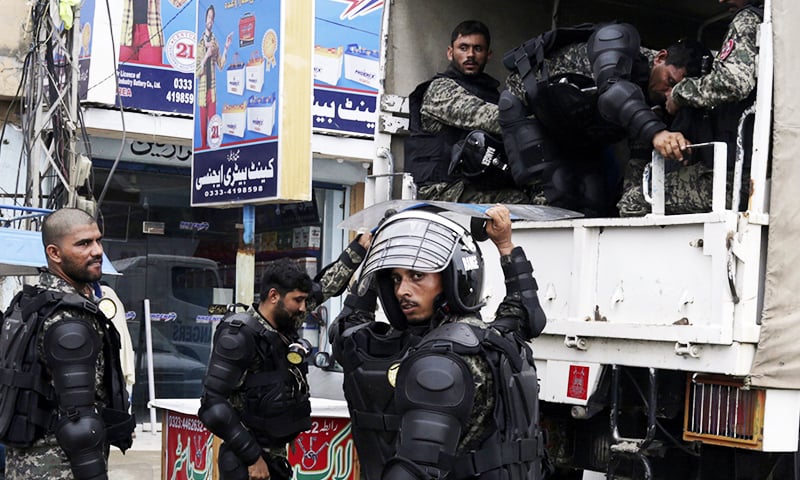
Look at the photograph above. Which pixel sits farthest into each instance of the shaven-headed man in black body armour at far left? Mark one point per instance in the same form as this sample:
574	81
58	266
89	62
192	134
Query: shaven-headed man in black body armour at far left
77	448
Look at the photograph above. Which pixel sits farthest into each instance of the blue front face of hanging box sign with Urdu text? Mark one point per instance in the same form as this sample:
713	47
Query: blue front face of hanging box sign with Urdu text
237	80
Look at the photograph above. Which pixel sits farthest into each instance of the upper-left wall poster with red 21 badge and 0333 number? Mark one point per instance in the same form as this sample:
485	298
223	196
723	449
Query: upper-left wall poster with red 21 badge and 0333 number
157	55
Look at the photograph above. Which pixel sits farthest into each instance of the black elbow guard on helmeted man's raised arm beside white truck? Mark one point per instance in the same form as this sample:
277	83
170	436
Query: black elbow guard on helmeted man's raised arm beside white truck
520	280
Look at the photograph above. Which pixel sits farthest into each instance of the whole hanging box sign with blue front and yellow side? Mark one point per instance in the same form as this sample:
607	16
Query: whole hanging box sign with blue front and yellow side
250	112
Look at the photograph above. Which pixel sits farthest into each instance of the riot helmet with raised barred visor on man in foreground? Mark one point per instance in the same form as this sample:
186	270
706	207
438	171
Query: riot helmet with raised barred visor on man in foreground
425	242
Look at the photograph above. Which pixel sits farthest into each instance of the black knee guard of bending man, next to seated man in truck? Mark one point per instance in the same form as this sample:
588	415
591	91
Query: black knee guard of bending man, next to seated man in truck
523	139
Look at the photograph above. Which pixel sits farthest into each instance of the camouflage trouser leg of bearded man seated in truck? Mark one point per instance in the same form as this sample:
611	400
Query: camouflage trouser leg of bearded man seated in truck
462	191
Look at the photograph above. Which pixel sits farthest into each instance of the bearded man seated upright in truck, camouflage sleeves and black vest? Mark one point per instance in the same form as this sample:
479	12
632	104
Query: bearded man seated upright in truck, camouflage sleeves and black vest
460	99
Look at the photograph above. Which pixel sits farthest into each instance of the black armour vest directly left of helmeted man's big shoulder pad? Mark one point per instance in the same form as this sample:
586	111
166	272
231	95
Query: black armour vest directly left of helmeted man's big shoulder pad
370	359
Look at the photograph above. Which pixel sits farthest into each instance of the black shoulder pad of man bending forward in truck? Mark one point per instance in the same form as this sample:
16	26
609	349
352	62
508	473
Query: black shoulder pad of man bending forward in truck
612	50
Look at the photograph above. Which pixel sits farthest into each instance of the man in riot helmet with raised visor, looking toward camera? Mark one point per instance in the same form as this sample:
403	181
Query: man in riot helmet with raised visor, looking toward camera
428	273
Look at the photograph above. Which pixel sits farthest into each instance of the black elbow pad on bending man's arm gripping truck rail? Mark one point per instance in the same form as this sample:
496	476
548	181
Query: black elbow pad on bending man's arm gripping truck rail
623	103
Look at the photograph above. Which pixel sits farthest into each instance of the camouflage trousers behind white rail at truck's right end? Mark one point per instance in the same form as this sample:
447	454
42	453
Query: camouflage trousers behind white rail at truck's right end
686	190
